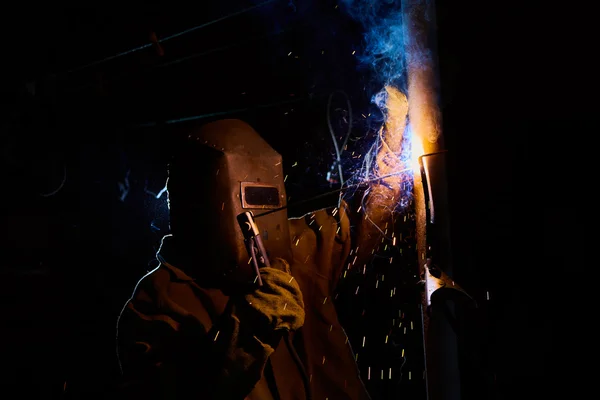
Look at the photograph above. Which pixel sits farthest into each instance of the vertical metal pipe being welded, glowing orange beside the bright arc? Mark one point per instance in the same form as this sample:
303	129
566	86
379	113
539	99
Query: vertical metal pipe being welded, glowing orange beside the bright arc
441	352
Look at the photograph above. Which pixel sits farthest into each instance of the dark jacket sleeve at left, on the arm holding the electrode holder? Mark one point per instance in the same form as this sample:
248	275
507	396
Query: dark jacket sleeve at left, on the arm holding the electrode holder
166	352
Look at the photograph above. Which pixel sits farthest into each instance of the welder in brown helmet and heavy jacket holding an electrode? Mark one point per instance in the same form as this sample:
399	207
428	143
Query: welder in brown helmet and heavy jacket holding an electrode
206	324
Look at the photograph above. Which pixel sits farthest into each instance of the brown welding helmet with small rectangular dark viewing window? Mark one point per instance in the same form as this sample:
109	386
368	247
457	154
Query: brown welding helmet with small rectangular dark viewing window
224	169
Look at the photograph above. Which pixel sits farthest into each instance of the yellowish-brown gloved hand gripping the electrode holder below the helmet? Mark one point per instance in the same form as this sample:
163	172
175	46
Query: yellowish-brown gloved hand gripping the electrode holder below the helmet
277	304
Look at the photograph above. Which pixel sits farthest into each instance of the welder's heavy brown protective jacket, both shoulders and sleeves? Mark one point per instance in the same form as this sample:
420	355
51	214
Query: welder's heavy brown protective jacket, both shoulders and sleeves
179	340
